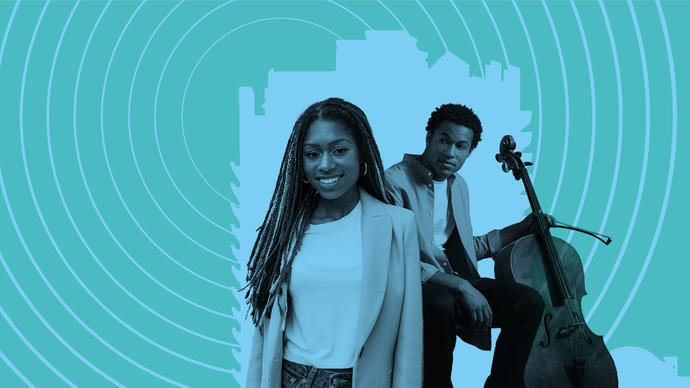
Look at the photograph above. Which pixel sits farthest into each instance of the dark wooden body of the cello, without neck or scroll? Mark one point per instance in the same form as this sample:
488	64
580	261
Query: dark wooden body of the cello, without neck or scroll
561	356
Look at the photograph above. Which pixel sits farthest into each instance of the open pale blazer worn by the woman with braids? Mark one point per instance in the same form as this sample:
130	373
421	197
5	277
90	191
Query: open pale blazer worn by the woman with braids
389	332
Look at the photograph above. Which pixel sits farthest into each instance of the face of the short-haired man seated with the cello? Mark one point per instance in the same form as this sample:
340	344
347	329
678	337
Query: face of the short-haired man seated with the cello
447	148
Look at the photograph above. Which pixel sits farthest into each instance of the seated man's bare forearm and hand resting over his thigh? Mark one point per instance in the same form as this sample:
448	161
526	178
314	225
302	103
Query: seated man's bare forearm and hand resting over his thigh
472	301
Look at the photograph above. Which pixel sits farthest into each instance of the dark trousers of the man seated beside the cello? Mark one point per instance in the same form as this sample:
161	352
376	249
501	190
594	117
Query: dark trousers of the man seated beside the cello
517	311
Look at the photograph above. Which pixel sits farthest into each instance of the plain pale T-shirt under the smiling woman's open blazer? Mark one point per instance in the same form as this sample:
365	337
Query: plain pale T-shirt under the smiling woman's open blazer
324	294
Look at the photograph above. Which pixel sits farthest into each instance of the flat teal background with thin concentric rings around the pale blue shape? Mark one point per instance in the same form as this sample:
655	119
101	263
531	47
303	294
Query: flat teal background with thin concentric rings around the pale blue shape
119	153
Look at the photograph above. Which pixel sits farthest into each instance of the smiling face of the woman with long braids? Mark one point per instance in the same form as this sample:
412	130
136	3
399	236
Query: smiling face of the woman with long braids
331	158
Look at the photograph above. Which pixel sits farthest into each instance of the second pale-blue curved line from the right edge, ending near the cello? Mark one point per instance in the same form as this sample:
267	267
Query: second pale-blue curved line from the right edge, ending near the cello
643	173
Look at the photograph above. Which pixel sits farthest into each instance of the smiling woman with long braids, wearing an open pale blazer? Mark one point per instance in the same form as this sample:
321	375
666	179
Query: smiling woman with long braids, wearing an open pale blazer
334	275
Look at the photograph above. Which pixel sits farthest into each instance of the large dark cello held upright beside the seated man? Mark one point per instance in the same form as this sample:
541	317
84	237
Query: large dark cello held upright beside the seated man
565	352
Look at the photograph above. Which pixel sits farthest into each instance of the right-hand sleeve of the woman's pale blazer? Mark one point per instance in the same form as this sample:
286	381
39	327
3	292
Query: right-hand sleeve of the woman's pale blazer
408	356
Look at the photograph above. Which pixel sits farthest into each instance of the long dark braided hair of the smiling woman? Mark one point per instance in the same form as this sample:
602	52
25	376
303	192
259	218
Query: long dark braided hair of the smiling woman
293	202
